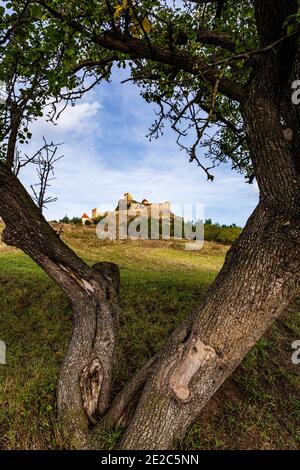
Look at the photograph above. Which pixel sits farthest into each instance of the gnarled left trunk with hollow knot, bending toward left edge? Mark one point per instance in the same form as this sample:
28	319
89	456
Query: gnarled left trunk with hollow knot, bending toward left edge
85	378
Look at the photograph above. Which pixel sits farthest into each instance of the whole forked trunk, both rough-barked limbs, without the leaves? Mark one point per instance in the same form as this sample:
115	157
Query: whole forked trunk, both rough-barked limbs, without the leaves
260	276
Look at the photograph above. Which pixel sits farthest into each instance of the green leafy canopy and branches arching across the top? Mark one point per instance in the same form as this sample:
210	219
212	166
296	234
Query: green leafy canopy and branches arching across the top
191	65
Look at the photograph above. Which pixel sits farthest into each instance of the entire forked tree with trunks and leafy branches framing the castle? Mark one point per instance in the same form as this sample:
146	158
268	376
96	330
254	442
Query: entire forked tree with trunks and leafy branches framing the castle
222	71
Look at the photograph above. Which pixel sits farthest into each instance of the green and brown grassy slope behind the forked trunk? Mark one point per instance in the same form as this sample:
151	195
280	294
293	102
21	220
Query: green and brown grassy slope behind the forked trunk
257	408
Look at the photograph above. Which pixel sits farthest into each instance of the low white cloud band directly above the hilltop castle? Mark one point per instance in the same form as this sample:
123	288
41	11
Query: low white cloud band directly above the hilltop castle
86	181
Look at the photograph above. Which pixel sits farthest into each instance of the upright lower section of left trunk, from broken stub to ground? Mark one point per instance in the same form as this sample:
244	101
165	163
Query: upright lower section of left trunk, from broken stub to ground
85	377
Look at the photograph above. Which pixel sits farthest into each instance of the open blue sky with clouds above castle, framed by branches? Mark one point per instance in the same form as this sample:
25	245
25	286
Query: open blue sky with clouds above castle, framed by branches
106	153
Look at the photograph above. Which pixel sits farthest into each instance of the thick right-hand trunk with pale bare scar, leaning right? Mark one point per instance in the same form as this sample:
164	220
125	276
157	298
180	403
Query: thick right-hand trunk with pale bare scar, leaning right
260	277
